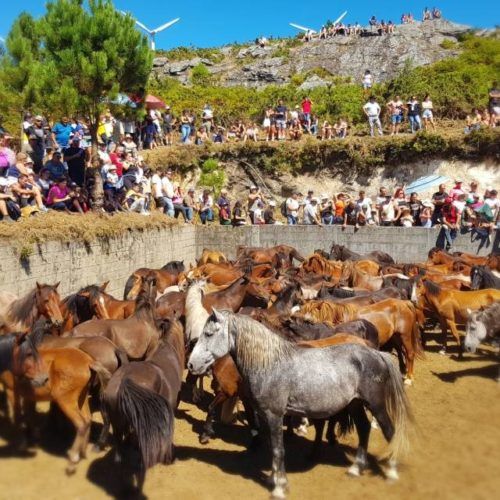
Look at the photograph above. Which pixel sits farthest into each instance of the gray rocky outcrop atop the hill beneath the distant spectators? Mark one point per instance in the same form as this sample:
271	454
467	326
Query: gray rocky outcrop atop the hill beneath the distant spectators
384	56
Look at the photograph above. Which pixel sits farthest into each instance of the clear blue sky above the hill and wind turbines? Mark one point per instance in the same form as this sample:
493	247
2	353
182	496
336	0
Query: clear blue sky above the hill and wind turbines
206	23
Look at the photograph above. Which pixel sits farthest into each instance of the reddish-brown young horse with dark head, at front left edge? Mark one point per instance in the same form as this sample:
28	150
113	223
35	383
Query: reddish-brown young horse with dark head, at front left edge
62	375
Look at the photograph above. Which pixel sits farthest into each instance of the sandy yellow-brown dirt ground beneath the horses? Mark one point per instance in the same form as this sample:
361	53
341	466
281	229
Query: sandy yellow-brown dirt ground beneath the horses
455	455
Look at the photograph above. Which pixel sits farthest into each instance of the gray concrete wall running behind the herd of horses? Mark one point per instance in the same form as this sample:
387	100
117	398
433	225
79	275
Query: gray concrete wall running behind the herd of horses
76	265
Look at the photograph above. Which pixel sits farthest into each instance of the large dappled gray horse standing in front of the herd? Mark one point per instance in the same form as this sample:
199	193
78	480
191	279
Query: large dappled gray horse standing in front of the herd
284	378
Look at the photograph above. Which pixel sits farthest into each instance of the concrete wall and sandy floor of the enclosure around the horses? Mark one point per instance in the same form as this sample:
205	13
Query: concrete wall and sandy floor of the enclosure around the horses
454	449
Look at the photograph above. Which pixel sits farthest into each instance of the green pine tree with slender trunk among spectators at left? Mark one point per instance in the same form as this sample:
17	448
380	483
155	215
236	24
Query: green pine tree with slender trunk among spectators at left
74	59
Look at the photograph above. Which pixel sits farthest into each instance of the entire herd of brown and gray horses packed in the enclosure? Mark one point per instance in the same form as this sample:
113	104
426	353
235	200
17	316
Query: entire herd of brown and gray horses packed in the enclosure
293	338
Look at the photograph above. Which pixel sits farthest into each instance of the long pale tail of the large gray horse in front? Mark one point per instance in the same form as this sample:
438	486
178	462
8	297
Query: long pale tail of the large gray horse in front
398	408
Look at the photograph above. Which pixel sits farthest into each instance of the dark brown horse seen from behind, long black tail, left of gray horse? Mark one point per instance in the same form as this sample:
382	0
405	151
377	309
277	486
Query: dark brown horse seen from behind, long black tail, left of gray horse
140	400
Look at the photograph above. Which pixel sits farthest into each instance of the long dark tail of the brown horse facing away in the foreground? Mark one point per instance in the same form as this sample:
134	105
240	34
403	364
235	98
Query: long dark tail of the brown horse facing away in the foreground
151	418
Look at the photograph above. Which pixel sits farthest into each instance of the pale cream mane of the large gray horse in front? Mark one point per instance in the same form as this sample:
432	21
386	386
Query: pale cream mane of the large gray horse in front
257	347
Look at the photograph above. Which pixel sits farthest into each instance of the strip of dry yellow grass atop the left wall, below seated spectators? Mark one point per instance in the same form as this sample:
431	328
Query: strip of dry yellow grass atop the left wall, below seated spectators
66	228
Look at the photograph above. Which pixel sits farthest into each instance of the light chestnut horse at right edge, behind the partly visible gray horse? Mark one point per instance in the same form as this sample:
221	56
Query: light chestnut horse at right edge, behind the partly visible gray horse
450	306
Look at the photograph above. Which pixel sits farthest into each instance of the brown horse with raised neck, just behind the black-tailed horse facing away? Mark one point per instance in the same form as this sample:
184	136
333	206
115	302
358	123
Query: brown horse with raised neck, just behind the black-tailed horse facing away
138	335
